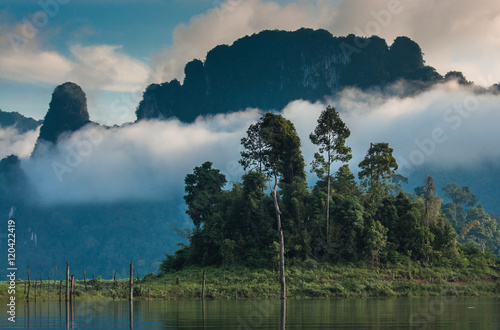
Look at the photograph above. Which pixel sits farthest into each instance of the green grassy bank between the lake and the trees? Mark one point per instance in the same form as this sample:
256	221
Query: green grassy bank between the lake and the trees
307	280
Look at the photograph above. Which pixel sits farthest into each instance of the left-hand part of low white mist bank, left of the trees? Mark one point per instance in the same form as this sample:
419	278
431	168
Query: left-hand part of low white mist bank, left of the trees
144	161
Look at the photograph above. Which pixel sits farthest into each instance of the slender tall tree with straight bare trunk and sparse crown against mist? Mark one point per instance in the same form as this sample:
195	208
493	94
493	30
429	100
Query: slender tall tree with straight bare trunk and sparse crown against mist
330	135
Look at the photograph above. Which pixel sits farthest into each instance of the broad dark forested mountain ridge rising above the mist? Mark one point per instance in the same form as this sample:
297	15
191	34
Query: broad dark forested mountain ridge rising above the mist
272	68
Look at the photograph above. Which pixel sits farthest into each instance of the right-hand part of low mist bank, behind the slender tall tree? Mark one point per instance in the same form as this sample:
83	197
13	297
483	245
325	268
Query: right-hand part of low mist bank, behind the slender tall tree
447	127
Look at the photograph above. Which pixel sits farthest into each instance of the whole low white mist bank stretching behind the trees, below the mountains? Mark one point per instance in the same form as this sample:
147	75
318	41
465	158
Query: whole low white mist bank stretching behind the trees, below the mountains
447	127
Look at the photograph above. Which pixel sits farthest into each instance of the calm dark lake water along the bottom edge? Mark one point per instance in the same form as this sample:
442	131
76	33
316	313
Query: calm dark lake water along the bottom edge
417	313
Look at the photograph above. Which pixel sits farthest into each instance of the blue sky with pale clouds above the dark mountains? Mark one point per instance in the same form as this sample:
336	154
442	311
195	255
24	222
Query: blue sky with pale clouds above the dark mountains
114	49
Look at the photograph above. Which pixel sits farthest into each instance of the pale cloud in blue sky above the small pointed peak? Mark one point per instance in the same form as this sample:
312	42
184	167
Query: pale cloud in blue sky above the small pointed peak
97	67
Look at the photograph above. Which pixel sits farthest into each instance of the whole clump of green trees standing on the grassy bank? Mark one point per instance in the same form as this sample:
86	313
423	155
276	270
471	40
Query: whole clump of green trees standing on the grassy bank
238	226
